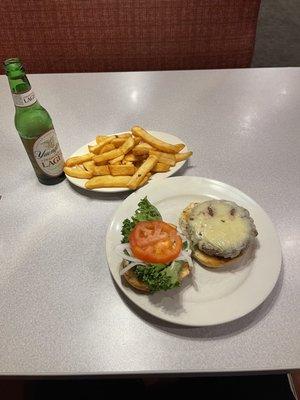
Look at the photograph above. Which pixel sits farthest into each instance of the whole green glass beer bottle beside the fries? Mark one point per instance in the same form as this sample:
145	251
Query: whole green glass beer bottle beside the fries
34	126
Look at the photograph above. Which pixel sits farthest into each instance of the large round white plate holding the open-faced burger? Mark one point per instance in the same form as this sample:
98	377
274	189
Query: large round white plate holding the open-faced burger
208	296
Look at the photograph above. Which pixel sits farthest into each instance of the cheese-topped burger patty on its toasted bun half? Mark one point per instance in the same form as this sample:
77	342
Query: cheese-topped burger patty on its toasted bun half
219	231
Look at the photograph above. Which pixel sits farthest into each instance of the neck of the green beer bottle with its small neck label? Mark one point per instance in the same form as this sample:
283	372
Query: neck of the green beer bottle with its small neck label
22	93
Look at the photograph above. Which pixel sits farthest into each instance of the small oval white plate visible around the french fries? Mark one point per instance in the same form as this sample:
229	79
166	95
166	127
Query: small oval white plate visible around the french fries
167	137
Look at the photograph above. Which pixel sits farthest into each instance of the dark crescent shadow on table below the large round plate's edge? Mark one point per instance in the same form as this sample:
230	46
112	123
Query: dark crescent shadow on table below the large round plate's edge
210	332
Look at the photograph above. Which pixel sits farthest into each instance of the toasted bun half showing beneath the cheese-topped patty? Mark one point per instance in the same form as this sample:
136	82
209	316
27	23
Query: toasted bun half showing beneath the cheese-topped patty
203	258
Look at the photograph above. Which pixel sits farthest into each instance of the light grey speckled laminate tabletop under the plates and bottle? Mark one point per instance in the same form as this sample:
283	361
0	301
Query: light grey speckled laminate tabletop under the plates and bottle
60	310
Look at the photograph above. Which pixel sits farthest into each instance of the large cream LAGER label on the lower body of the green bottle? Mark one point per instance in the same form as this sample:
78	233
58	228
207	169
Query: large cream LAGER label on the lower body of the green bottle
48	155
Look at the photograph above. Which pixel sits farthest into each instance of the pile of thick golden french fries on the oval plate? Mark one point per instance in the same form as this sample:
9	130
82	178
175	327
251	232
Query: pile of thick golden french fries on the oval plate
126	160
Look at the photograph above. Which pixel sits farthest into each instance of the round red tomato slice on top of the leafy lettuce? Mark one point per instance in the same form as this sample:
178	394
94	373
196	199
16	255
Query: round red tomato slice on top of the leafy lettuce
155	241
